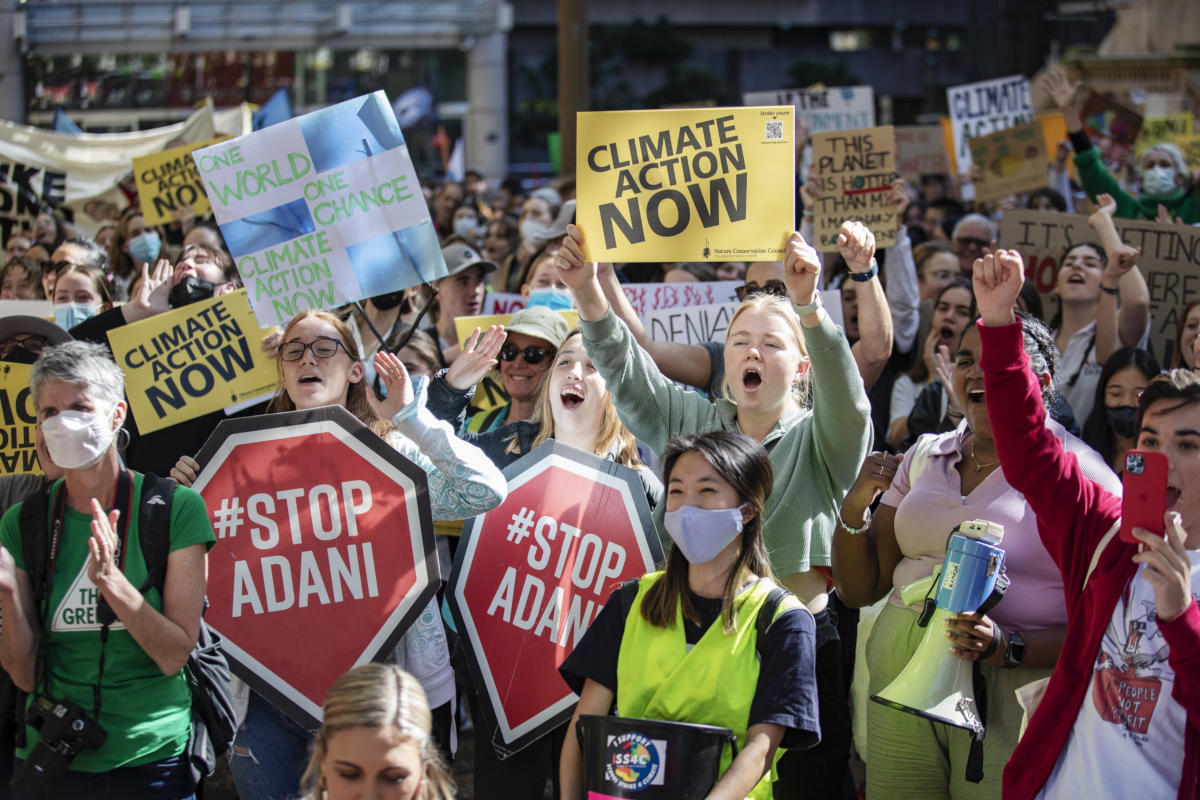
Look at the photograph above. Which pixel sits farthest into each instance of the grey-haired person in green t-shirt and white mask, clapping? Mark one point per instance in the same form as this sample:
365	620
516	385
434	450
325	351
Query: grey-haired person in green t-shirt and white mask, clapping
145	642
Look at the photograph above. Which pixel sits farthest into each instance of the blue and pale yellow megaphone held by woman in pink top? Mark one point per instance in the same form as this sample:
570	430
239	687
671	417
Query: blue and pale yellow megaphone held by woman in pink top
937	684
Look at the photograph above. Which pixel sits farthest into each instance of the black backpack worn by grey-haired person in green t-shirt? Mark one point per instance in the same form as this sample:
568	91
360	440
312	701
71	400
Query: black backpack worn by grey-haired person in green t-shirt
214	720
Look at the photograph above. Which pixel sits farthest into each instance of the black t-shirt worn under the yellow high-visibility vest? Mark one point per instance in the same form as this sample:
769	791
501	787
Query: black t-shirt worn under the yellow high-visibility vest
787	693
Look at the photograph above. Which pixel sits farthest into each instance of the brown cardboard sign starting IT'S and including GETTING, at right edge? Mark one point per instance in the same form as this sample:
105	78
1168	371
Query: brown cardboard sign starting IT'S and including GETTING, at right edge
1171	262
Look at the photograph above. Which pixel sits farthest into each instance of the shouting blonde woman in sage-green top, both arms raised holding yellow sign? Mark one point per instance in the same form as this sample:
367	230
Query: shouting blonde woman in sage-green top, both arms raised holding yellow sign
776	352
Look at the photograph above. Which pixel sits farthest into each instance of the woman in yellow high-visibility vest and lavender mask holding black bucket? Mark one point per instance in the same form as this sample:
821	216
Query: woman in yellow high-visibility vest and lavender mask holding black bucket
685	648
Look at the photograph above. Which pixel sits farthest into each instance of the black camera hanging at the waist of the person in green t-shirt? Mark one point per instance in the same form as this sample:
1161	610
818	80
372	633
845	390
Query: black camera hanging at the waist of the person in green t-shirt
65	730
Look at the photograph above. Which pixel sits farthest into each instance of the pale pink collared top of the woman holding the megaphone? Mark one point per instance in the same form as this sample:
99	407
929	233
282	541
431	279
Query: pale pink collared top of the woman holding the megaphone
929	512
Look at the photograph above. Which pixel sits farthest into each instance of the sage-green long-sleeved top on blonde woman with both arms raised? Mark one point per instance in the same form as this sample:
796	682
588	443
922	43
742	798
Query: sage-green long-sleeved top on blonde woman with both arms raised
815	454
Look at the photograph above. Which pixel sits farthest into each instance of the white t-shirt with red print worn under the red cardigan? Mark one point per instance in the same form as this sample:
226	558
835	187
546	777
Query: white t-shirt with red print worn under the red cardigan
1129	735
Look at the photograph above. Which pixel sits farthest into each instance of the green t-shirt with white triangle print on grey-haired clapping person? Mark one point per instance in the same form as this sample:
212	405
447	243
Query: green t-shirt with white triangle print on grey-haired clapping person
146	713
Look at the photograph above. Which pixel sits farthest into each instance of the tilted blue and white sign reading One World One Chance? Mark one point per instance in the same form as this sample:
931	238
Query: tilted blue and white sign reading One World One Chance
322	210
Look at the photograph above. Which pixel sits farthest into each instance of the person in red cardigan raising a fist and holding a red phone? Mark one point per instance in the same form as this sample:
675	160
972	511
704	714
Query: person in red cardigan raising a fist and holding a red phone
1132	617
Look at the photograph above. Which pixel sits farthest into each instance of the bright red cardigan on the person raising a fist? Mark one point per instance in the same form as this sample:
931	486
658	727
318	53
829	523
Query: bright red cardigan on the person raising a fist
1073	516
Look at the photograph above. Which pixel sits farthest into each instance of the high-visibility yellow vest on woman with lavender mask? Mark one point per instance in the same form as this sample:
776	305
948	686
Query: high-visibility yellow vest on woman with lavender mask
715	683
